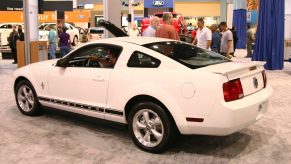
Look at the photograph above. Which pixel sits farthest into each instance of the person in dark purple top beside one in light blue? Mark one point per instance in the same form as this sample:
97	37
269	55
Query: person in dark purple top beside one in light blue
64	42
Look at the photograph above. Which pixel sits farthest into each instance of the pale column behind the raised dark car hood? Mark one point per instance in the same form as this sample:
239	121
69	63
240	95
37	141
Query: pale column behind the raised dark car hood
112	13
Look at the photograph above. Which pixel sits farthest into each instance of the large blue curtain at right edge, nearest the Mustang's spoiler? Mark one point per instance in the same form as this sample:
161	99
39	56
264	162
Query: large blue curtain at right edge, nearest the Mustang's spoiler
270	34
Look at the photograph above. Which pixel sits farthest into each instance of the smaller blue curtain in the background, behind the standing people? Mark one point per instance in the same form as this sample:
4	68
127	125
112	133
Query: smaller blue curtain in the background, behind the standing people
240	22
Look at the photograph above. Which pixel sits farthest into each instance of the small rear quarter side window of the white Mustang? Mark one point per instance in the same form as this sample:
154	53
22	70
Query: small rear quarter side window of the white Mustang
141	60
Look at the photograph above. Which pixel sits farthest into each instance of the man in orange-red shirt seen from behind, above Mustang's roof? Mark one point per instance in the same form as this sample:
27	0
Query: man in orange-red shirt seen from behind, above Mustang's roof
167	30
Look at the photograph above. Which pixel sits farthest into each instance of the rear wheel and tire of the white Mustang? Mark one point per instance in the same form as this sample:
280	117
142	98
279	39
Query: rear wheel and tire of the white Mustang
150	127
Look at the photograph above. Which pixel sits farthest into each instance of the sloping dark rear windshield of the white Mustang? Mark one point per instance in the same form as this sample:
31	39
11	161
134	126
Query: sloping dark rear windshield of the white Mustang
187	54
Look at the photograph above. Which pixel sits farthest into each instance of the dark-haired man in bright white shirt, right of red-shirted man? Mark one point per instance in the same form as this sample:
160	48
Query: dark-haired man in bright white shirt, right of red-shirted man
204	35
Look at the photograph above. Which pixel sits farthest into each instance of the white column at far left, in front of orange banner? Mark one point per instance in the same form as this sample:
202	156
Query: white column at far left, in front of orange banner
30	8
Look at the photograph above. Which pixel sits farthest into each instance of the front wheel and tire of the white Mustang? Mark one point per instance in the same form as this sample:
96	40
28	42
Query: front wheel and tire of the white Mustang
26	99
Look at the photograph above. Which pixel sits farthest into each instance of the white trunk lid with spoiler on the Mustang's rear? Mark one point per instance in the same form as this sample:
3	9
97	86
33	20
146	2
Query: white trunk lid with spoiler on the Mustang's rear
251	74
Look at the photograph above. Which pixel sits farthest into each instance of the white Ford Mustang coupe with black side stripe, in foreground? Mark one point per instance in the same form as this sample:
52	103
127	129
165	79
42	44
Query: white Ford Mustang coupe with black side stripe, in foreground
157	86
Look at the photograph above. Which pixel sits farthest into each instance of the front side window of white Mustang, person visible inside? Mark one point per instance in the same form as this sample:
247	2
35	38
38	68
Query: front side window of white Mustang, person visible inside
95	56
